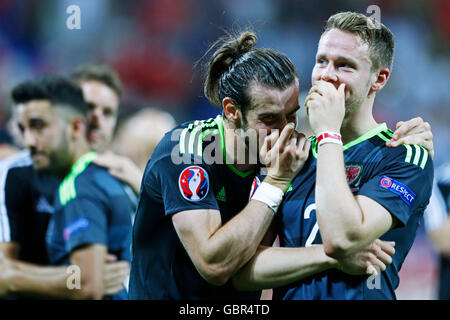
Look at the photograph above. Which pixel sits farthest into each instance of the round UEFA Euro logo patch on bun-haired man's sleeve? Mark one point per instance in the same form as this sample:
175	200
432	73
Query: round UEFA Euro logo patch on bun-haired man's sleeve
193	183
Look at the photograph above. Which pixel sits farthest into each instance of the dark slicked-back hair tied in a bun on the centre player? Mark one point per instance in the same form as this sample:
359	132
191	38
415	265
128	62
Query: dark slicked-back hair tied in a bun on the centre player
236	63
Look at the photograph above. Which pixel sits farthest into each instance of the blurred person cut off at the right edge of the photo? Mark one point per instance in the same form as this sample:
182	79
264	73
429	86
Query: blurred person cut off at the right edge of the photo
437	225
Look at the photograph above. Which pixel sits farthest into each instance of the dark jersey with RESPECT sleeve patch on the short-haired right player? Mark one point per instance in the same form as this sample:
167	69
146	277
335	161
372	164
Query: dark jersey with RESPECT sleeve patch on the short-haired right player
400	179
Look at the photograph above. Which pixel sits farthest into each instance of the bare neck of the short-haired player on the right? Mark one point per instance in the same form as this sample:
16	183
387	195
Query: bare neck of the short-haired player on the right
359	123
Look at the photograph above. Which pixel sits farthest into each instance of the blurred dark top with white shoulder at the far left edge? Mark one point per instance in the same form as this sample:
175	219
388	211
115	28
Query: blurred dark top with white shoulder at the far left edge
26	204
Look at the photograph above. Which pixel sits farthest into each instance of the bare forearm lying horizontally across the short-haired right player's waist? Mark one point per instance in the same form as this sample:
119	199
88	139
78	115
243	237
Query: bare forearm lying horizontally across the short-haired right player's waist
273	267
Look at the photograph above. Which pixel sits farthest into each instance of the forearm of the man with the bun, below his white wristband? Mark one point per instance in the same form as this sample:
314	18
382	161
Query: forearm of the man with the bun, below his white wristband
236	242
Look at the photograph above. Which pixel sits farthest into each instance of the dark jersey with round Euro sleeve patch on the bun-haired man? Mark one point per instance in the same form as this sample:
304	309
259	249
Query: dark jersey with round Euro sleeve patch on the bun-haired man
161	267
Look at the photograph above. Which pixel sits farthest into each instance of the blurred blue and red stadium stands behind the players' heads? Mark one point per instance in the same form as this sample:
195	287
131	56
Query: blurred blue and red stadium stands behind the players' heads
154	45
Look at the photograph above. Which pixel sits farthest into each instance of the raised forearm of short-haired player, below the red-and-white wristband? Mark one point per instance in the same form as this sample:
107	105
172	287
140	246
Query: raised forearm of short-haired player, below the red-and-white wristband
338	213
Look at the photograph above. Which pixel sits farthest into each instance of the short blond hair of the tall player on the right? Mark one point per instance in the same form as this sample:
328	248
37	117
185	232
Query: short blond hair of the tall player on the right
379	38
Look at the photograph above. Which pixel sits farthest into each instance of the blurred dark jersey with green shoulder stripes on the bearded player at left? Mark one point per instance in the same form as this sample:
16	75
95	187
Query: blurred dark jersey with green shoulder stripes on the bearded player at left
91	207
